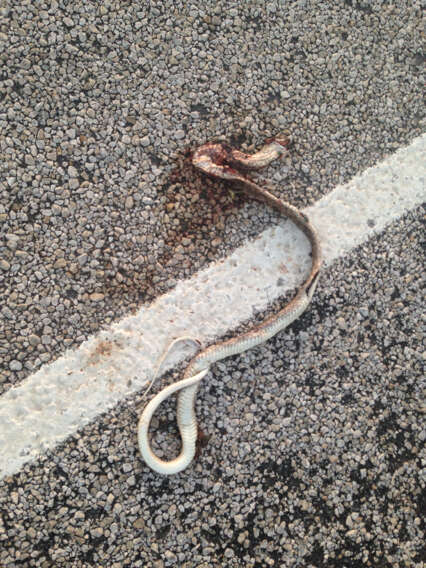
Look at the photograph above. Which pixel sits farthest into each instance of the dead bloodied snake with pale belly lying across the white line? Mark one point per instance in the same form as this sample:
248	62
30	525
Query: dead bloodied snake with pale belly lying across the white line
221	161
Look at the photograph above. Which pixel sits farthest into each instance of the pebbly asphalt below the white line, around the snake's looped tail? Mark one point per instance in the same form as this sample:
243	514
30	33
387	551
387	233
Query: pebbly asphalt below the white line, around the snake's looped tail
313	447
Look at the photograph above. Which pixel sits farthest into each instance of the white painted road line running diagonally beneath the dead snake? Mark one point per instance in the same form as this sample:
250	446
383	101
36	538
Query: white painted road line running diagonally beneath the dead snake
64	396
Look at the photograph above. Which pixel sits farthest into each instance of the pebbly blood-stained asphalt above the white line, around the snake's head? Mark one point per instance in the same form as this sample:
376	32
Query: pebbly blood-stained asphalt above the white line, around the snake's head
100	103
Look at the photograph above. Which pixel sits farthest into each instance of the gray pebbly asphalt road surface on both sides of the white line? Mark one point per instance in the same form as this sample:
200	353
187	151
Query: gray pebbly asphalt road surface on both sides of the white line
313	443
